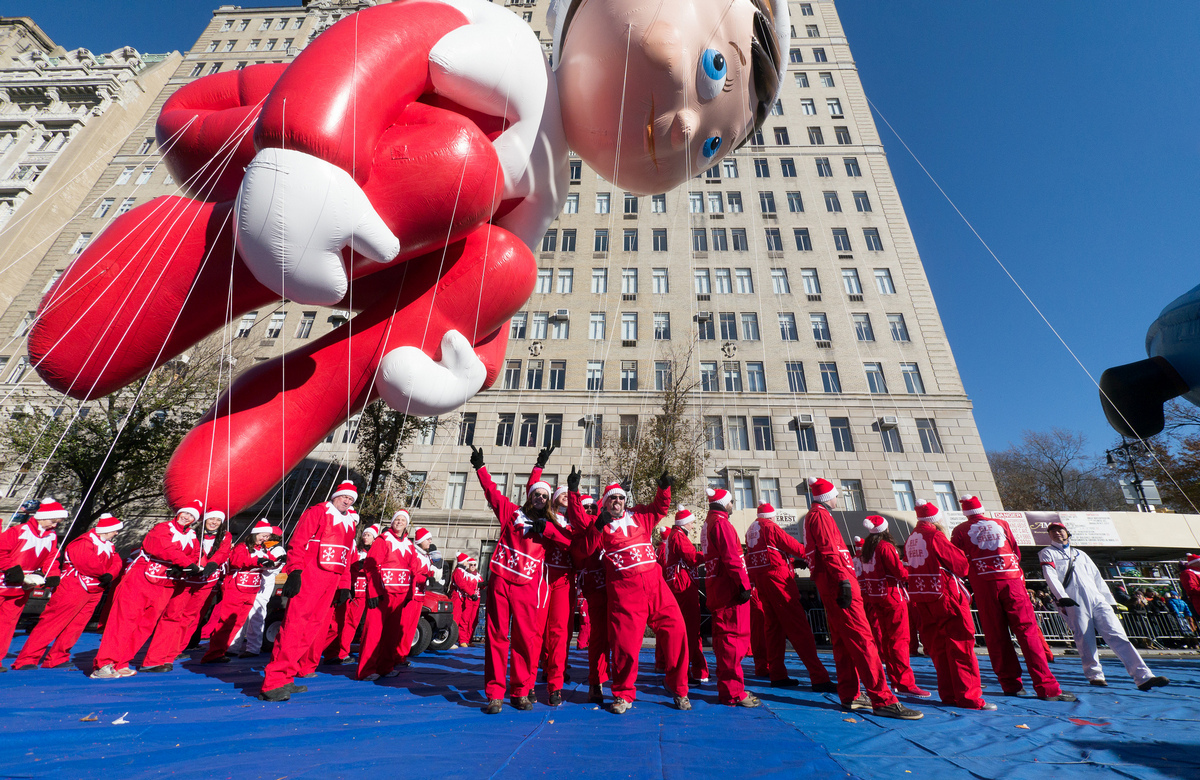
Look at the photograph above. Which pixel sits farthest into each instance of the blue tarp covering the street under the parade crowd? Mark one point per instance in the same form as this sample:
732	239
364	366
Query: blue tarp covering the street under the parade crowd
203	722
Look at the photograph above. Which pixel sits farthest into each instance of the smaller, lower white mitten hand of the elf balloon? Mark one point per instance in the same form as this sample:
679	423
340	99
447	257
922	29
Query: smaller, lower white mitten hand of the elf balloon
412	383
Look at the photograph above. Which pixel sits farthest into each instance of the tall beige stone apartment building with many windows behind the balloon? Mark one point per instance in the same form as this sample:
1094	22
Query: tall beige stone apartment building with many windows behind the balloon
785	281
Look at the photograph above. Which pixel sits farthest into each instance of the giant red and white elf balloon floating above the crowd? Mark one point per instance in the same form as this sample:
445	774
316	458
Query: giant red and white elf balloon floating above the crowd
421	149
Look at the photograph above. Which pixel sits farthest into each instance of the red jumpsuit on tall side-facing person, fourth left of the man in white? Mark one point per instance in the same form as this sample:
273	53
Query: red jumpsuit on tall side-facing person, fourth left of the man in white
855	655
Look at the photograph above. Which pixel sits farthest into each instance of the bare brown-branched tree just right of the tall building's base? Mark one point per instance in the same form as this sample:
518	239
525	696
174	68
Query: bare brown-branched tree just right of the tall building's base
1054	471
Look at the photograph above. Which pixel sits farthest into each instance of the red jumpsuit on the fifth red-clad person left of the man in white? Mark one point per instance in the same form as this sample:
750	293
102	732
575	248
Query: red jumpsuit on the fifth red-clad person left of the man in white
769	563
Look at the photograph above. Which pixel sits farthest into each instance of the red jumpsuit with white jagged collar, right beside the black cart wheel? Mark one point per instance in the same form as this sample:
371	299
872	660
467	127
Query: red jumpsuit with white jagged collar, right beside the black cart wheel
391	571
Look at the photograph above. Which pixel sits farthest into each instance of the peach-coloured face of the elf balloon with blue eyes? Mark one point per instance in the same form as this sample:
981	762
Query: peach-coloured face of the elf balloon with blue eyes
655	93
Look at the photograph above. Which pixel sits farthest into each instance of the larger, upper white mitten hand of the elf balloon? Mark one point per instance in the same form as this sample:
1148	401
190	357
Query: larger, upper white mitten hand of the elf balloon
295	214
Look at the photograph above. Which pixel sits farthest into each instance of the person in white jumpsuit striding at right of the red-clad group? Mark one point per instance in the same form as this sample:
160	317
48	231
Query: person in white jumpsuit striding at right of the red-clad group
1085	602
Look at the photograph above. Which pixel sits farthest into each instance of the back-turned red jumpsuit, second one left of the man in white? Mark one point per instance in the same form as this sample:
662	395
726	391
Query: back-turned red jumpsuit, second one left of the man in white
944	610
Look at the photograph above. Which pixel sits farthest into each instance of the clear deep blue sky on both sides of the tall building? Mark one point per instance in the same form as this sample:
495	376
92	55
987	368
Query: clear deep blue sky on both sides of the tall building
1067	133
